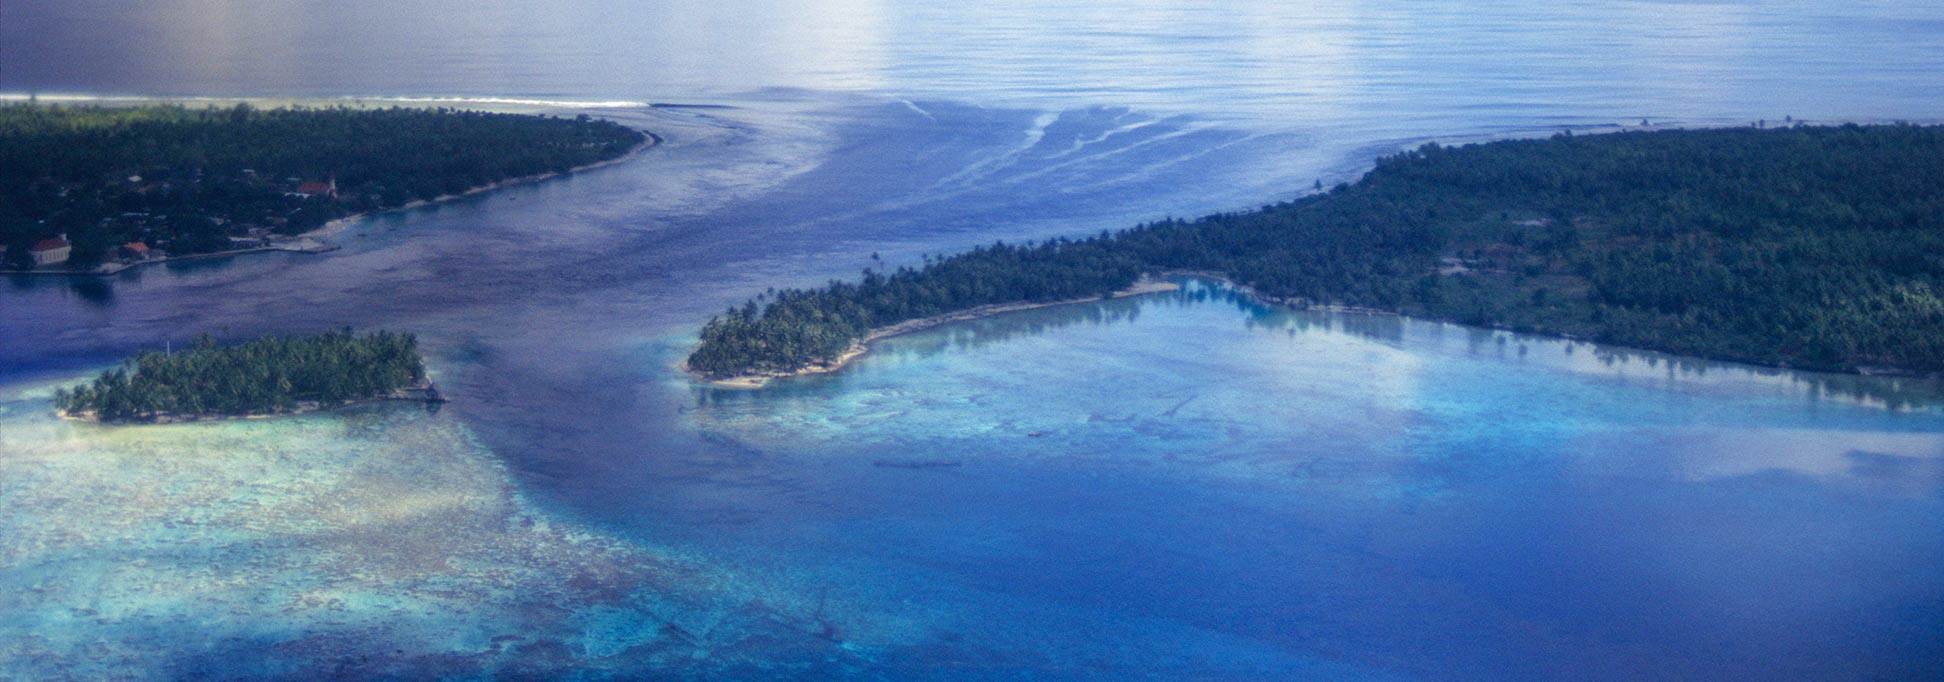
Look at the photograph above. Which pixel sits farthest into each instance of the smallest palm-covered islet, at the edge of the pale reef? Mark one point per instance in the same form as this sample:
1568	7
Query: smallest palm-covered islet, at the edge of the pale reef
265	376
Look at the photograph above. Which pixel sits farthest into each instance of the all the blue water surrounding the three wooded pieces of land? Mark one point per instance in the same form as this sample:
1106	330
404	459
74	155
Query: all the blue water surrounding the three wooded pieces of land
1173	487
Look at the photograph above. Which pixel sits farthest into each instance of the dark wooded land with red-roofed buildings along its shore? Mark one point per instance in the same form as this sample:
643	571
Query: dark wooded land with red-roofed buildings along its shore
213	180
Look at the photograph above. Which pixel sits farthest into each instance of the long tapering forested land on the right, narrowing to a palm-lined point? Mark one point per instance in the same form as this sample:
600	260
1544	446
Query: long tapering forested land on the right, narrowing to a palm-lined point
1811	248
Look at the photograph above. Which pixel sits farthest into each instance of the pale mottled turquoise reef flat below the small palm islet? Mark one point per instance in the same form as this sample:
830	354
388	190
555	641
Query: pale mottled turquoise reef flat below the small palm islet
376	541
